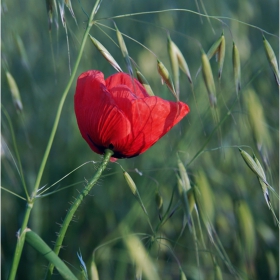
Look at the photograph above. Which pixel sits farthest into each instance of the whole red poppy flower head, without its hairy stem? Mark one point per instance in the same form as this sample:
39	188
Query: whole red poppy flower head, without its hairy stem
118	114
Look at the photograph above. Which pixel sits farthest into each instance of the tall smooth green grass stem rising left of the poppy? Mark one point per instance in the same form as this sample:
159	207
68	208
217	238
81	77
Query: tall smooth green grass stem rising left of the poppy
21	236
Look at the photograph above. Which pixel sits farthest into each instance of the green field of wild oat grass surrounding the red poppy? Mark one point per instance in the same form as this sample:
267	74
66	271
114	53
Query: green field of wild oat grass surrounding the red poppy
207	199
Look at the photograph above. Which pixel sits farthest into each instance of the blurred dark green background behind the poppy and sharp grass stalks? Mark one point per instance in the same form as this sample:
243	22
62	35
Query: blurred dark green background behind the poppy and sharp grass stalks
39	59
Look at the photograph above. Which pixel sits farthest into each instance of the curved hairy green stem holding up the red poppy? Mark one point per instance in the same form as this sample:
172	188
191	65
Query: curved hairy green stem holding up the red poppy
76	204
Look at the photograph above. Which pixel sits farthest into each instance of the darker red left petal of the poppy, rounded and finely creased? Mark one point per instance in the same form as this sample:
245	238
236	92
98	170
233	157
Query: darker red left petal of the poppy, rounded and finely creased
100	121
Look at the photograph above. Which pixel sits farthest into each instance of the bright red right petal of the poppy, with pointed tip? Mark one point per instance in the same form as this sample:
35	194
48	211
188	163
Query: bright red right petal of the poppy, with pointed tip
152	118
